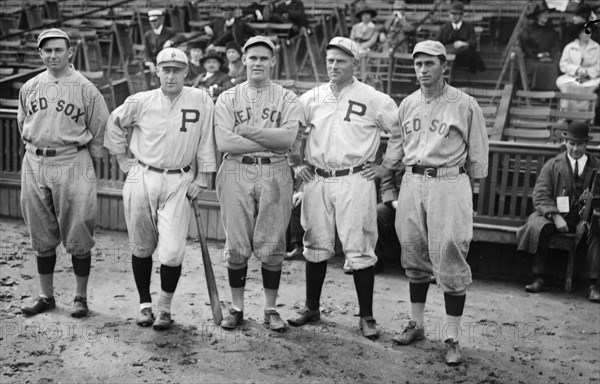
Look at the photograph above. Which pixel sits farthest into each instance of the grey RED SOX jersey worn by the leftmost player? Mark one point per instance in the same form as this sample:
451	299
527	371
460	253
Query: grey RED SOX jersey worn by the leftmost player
62	112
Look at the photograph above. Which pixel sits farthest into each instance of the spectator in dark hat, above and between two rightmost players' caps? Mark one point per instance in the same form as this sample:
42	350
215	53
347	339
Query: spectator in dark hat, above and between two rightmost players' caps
397	31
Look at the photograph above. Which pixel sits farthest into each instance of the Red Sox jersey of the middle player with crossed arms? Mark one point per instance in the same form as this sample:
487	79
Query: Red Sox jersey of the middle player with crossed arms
270	114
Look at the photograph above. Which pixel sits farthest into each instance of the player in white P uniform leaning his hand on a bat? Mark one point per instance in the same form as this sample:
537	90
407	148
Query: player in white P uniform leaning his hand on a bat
172	134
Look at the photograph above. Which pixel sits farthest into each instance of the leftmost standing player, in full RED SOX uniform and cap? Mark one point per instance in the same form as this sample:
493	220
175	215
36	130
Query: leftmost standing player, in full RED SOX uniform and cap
61	116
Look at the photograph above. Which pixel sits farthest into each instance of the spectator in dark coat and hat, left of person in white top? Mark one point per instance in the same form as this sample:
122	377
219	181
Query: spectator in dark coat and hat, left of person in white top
539	42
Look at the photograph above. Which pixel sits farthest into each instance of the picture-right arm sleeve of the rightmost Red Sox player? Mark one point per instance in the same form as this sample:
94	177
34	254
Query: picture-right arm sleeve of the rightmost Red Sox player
478	145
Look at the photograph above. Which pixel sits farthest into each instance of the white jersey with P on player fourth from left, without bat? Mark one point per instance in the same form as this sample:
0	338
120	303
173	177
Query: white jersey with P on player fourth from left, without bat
345	131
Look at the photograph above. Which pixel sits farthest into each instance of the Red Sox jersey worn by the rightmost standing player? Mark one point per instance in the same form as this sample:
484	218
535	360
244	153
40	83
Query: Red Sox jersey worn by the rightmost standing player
447	130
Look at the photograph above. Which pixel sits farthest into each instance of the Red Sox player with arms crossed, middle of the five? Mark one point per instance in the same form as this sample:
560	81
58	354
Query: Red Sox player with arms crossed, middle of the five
256	124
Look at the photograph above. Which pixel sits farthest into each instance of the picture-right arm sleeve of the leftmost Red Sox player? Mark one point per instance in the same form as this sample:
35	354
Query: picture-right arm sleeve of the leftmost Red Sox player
96	117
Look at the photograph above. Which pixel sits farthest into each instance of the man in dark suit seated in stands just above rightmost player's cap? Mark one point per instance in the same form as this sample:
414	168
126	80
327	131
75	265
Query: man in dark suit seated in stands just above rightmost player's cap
459	38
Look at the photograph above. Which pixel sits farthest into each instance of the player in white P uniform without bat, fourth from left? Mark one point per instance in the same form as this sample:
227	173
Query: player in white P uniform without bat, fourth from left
345	118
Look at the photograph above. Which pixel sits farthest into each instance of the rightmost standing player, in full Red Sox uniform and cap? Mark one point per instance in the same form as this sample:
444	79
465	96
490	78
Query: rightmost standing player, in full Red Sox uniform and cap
443	142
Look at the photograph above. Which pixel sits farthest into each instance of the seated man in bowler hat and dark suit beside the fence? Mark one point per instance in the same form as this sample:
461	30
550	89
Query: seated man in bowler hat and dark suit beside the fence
557	202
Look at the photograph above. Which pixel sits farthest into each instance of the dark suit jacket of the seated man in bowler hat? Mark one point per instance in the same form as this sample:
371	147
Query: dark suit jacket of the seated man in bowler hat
556	175
